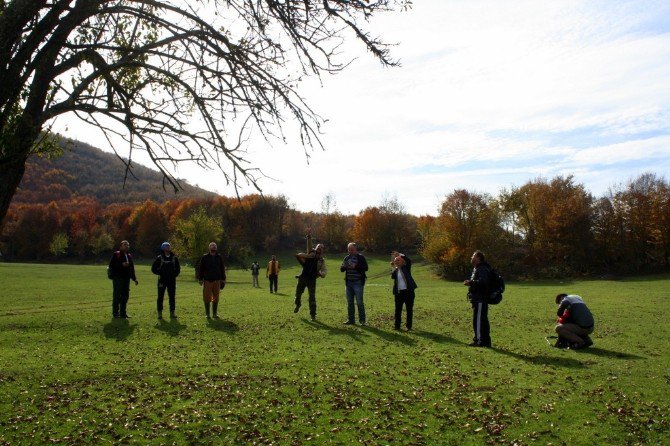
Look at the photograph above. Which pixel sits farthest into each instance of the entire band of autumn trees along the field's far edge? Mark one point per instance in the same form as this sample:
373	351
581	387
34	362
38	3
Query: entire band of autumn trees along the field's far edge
544	228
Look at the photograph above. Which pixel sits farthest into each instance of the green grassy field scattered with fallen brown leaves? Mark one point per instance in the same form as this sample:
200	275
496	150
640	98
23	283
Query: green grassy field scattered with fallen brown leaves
264	375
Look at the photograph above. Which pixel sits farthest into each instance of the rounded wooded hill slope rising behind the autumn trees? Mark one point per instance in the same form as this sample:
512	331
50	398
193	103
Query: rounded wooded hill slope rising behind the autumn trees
83	170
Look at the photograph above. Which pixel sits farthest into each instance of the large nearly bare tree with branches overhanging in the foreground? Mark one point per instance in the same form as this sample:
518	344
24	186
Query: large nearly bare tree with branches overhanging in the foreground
182	81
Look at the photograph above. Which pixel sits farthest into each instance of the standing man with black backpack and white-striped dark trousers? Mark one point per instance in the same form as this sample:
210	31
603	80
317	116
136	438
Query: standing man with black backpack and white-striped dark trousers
479	290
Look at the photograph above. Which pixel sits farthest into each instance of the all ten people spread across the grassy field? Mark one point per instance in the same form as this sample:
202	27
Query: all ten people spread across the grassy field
575	321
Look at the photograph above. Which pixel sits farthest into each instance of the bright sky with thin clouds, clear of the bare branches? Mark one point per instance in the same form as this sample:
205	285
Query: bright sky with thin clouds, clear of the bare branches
489	95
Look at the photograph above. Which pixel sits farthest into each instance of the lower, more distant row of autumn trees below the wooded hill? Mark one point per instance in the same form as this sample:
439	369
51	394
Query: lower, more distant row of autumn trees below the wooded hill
80	228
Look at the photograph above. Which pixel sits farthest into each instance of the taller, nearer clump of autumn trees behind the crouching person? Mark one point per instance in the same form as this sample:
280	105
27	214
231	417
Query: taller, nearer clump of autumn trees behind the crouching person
555	228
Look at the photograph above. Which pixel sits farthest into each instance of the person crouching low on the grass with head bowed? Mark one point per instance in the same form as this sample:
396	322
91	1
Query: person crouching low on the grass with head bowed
575	322
